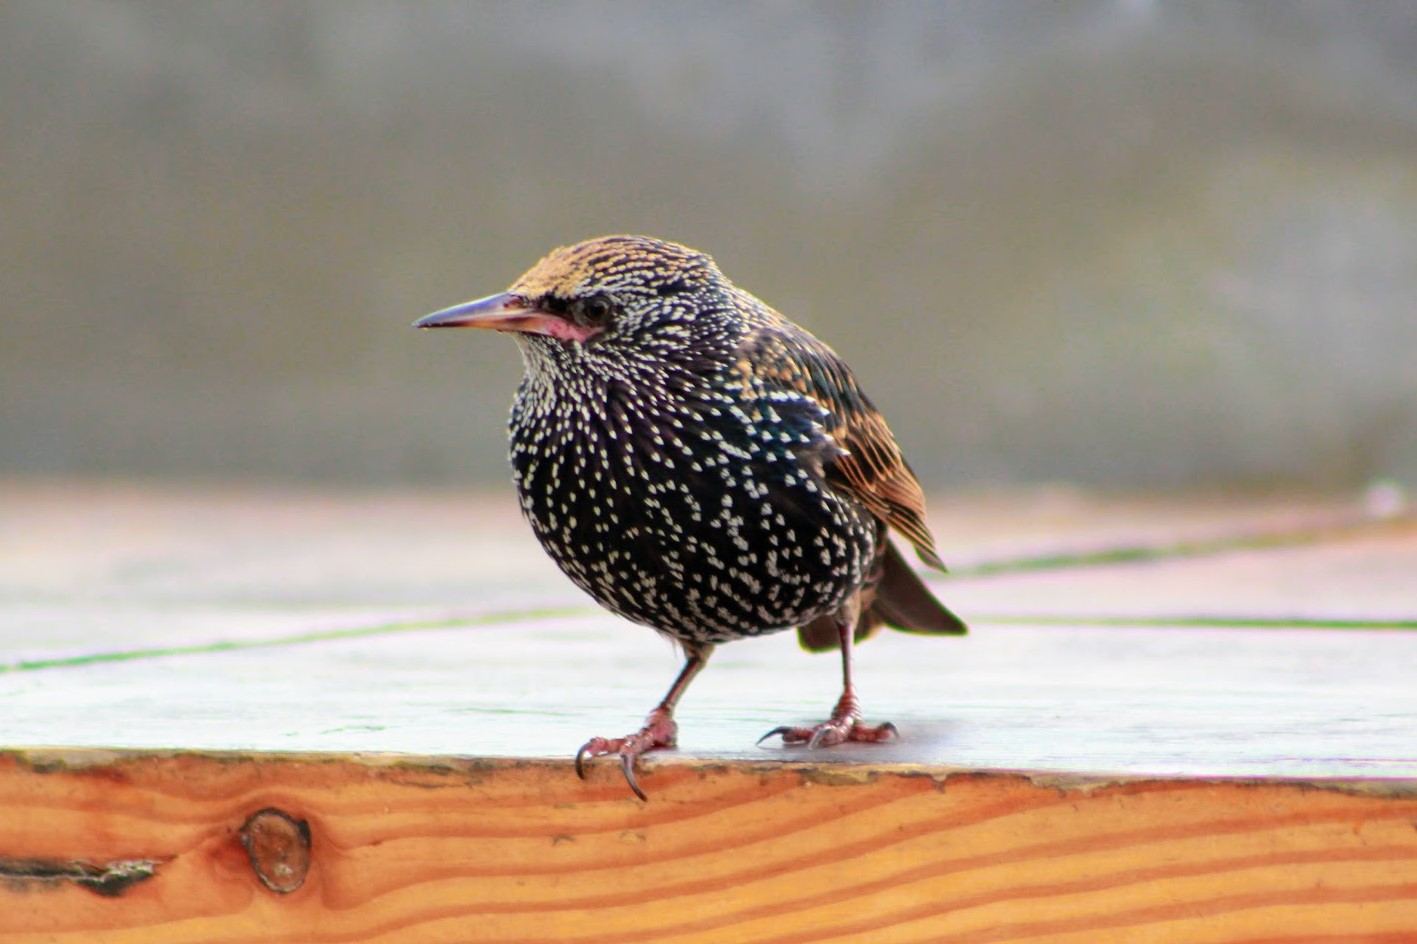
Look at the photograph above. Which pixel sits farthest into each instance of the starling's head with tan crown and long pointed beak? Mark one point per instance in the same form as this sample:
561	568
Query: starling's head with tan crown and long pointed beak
611	296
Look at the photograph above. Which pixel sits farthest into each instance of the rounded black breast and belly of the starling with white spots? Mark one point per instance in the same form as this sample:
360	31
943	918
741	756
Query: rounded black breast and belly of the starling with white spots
704	531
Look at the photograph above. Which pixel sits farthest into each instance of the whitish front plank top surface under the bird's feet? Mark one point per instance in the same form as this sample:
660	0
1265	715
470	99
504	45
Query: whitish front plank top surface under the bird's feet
1083	701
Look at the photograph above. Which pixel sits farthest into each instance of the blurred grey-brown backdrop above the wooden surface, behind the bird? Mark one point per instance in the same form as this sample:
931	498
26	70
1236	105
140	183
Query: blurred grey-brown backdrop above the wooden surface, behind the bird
1117	243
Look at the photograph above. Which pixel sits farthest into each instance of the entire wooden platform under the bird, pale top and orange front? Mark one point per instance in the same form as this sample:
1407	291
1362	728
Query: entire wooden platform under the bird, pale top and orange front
261	715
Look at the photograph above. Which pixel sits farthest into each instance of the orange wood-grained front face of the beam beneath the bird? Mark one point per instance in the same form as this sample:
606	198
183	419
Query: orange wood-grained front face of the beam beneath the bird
406	850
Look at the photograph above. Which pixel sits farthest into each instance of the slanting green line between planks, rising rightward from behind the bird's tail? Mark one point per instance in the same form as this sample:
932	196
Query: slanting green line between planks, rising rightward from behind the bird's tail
1146	554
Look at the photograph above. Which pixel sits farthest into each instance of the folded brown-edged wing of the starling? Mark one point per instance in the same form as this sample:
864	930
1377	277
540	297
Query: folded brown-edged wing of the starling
868	464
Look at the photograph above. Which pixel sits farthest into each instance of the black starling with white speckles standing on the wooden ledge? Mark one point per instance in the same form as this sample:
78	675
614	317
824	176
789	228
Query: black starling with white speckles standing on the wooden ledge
702	466
